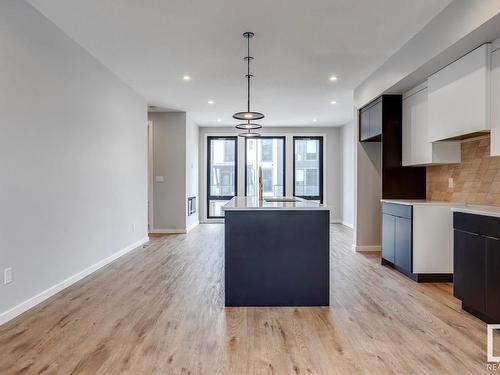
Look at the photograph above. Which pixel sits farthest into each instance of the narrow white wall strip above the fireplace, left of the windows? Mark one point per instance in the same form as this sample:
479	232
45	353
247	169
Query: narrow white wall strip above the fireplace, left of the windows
192	171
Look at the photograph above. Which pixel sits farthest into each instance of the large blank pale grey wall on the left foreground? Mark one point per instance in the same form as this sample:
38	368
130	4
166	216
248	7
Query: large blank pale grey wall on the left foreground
73	160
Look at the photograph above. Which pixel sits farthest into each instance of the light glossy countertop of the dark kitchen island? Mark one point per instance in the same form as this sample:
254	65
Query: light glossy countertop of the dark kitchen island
253	203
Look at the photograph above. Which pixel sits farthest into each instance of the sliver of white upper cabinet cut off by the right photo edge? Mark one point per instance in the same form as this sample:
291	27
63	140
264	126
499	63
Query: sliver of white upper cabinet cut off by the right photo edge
495	99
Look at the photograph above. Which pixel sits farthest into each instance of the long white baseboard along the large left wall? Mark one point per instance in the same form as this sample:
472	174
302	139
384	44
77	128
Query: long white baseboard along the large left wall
47	293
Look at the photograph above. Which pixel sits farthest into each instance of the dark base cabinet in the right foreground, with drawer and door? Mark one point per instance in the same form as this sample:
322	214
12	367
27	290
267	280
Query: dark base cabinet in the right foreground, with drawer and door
477	264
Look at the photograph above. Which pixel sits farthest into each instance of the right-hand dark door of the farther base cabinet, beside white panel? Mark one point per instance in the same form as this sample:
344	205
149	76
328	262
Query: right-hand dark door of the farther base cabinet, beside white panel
403	245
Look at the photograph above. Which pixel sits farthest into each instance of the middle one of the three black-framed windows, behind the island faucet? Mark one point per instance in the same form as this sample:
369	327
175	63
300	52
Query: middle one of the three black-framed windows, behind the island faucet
267	153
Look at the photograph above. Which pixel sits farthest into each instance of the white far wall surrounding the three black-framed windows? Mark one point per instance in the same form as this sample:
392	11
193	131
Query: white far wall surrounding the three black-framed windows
332	177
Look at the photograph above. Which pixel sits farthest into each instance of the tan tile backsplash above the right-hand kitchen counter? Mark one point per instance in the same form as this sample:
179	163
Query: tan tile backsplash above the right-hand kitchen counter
475	180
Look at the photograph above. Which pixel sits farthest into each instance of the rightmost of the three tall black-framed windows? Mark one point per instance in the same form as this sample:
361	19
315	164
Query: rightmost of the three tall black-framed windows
308	167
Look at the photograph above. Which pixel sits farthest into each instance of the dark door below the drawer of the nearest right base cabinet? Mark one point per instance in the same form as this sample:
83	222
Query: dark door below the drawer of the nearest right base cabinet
469	269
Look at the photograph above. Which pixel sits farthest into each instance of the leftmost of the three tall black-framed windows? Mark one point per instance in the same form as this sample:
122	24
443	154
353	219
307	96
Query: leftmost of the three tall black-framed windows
221	173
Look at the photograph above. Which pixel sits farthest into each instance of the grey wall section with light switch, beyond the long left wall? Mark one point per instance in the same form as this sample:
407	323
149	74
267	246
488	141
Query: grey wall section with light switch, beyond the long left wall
169	162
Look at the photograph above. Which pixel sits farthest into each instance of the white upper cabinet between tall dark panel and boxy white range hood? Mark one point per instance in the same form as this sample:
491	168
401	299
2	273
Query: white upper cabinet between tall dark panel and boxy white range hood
417	150
